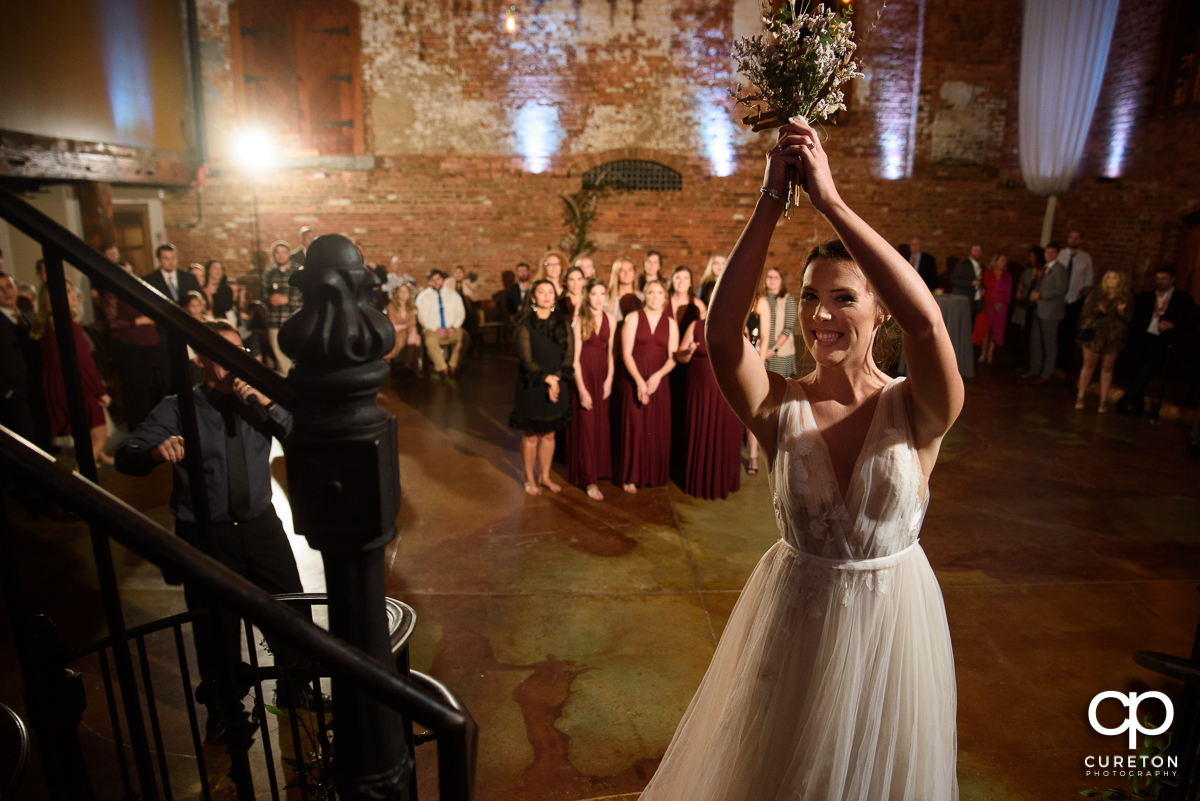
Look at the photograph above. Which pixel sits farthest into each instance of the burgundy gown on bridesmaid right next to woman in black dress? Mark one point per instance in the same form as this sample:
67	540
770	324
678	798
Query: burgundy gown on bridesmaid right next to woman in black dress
589	439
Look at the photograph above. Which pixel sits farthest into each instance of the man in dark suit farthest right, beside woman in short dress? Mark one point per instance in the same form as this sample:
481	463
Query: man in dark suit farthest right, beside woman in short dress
1161	317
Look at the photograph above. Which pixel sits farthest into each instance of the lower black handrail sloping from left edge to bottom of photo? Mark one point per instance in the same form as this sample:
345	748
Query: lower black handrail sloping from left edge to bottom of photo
151	541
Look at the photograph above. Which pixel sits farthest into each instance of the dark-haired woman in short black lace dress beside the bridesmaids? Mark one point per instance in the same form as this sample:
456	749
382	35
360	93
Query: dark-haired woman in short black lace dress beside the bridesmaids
543	402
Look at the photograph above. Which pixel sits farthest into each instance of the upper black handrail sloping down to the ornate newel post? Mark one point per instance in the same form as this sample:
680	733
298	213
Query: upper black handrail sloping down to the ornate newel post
139	294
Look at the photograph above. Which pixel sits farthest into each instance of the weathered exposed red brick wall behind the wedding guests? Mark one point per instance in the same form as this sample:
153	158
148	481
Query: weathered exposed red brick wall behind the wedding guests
449	186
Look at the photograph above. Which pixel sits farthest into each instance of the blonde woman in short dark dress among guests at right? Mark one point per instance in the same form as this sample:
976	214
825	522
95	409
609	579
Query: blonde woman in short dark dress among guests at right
1103	333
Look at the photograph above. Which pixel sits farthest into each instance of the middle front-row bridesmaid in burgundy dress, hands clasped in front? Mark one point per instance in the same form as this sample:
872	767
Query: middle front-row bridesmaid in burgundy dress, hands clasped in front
650	338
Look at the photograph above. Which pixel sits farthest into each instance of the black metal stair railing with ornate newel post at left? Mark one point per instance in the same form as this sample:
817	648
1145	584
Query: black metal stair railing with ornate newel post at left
344	473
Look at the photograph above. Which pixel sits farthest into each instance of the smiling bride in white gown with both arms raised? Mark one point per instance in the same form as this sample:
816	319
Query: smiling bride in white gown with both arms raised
835	678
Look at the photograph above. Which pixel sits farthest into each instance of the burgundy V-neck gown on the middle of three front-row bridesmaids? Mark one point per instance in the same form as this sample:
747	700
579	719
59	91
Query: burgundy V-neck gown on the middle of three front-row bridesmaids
646	430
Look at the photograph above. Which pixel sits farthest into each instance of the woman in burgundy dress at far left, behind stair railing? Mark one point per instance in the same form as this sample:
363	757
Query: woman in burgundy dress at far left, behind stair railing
95	394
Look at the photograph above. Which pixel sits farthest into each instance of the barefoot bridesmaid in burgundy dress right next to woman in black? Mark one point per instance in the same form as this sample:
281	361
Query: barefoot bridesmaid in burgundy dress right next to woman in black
589	439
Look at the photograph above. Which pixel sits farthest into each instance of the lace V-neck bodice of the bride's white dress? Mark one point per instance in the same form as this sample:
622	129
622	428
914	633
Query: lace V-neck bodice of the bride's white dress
886	499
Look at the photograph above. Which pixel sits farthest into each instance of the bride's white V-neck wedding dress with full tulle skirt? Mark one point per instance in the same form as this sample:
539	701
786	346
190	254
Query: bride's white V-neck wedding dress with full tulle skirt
835	678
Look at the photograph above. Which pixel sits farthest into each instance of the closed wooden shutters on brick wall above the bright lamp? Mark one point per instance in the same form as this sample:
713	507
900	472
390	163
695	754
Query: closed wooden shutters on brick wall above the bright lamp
297	73
